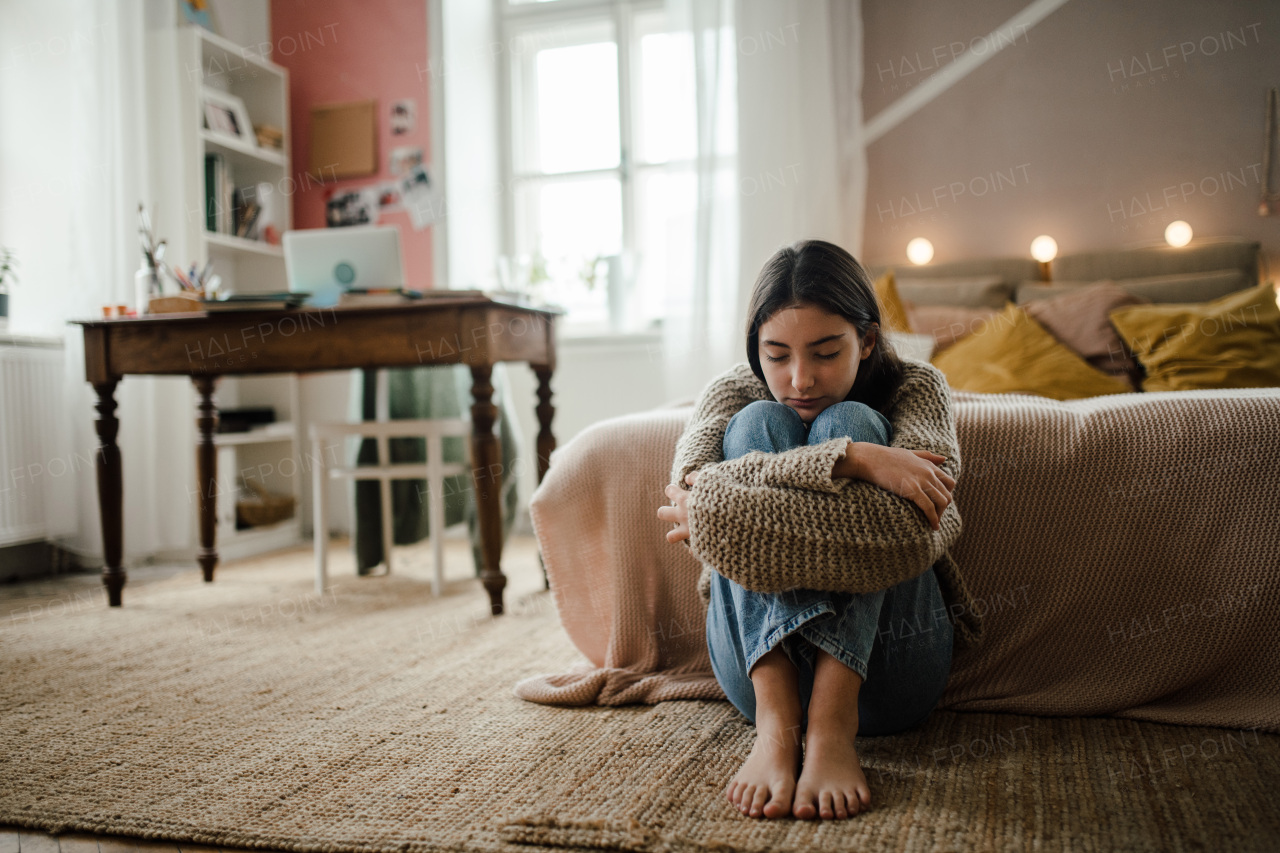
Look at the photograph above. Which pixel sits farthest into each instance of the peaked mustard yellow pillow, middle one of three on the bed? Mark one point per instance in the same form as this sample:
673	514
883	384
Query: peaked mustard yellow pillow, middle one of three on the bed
1013	353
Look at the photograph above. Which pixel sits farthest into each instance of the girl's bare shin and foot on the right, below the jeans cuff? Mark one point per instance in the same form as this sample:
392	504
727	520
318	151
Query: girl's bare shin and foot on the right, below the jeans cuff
833	784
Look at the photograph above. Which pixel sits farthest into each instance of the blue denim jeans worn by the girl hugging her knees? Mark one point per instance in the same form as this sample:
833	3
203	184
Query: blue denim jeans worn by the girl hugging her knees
899	640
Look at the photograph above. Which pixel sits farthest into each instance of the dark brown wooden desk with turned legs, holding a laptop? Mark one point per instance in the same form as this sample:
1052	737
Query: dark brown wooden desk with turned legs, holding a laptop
473	331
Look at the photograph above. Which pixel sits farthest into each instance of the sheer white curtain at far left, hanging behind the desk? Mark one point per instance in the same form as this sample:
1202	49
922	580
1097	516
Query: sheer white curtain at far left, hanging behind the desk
79	150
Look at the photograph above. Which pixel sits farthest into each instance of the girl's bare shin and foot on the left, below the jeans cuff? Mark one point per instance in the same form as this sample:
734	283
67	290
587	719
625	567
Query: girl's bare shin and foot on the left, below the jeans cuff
766	784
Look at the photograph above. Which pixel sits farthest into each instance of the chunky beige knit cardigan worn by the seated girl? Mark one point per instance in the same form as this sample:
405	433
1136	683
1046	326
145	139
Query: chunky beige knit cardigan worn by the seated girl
776	522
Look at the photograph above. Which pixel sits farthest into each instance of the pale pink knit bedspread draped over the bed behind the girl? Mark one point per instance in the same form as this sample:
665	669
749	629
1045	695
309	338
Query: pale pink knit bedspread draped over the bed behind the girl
1126	551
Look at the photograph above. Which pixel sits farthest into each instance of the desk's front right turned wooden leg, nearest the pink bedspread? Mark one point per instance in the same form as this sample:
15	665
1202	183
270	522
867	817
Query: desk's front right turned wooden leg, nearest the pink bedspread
487	471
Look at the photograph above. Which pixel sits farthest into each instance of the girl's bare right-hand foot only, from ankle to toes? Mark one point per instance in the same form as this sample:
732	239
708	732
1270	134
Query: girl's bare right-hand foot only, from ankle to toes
833	784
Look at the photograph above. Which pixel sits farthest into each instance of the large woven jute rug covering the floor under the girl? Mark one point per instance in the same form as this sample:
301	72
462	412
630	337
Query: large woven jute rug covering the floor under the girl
252	713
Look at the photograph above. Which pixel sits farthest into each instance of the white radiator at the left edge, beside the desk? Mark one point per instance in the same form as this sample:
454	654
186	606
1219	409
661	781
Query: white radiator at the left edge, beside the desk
31	416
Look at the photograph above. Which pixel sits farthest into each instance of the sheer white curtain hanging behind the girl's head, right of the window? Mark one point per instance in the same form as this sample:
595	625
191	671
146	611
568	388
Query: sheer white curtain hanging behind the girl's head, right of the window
783	81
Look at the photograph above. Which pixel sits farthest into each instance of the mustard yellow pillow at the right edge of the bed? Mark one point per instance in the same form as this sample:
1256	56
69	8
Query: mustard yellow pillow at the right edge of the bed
1231	343
